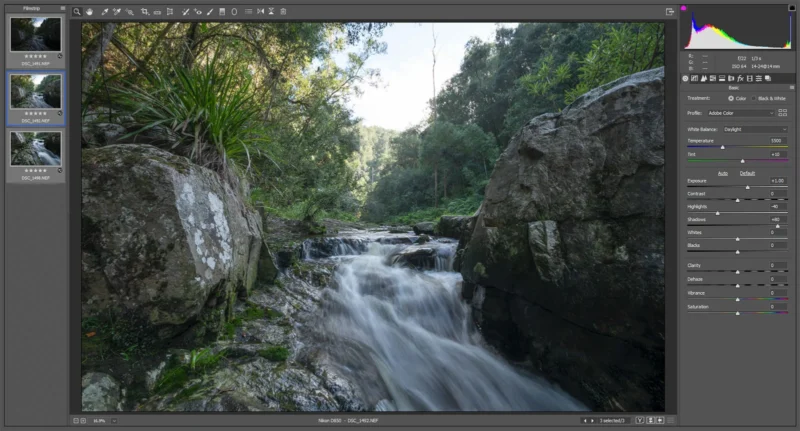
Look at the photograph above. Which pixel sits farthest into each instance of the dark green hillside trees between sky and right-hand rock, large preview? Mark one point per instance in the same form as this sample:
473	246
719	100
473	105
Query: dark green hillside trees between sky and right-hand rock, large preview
443	166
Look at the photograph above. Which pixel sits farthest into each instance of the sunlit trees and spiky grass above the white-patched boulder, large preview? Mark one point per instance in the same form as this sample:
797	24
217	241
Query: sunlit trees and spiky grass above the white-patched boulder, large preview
264	102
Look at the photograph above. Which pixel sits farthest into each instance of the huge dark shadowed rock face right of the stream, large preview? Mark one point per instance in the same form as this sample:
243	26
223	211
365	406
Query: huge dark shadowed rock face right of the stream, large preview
565	264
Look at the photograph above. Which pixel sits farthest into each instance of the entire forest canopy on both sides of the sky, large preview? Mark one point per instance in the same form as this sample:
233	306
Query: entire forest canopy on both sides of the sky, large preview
267	106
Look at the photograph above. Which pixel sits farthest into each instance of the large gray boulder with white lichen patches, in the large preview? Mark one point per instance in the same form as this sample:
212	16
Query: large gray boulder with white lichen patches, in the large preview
165	243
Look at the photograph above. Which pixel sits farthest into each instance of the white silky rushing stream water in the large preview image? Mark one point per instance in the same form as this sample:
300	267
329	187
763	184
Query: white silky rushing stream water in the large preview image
407	339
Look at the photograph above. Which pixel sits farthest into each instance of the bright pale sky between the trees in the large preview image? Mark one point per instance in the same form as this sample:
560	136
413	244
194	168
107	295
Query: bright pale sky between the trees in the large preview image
401	99
